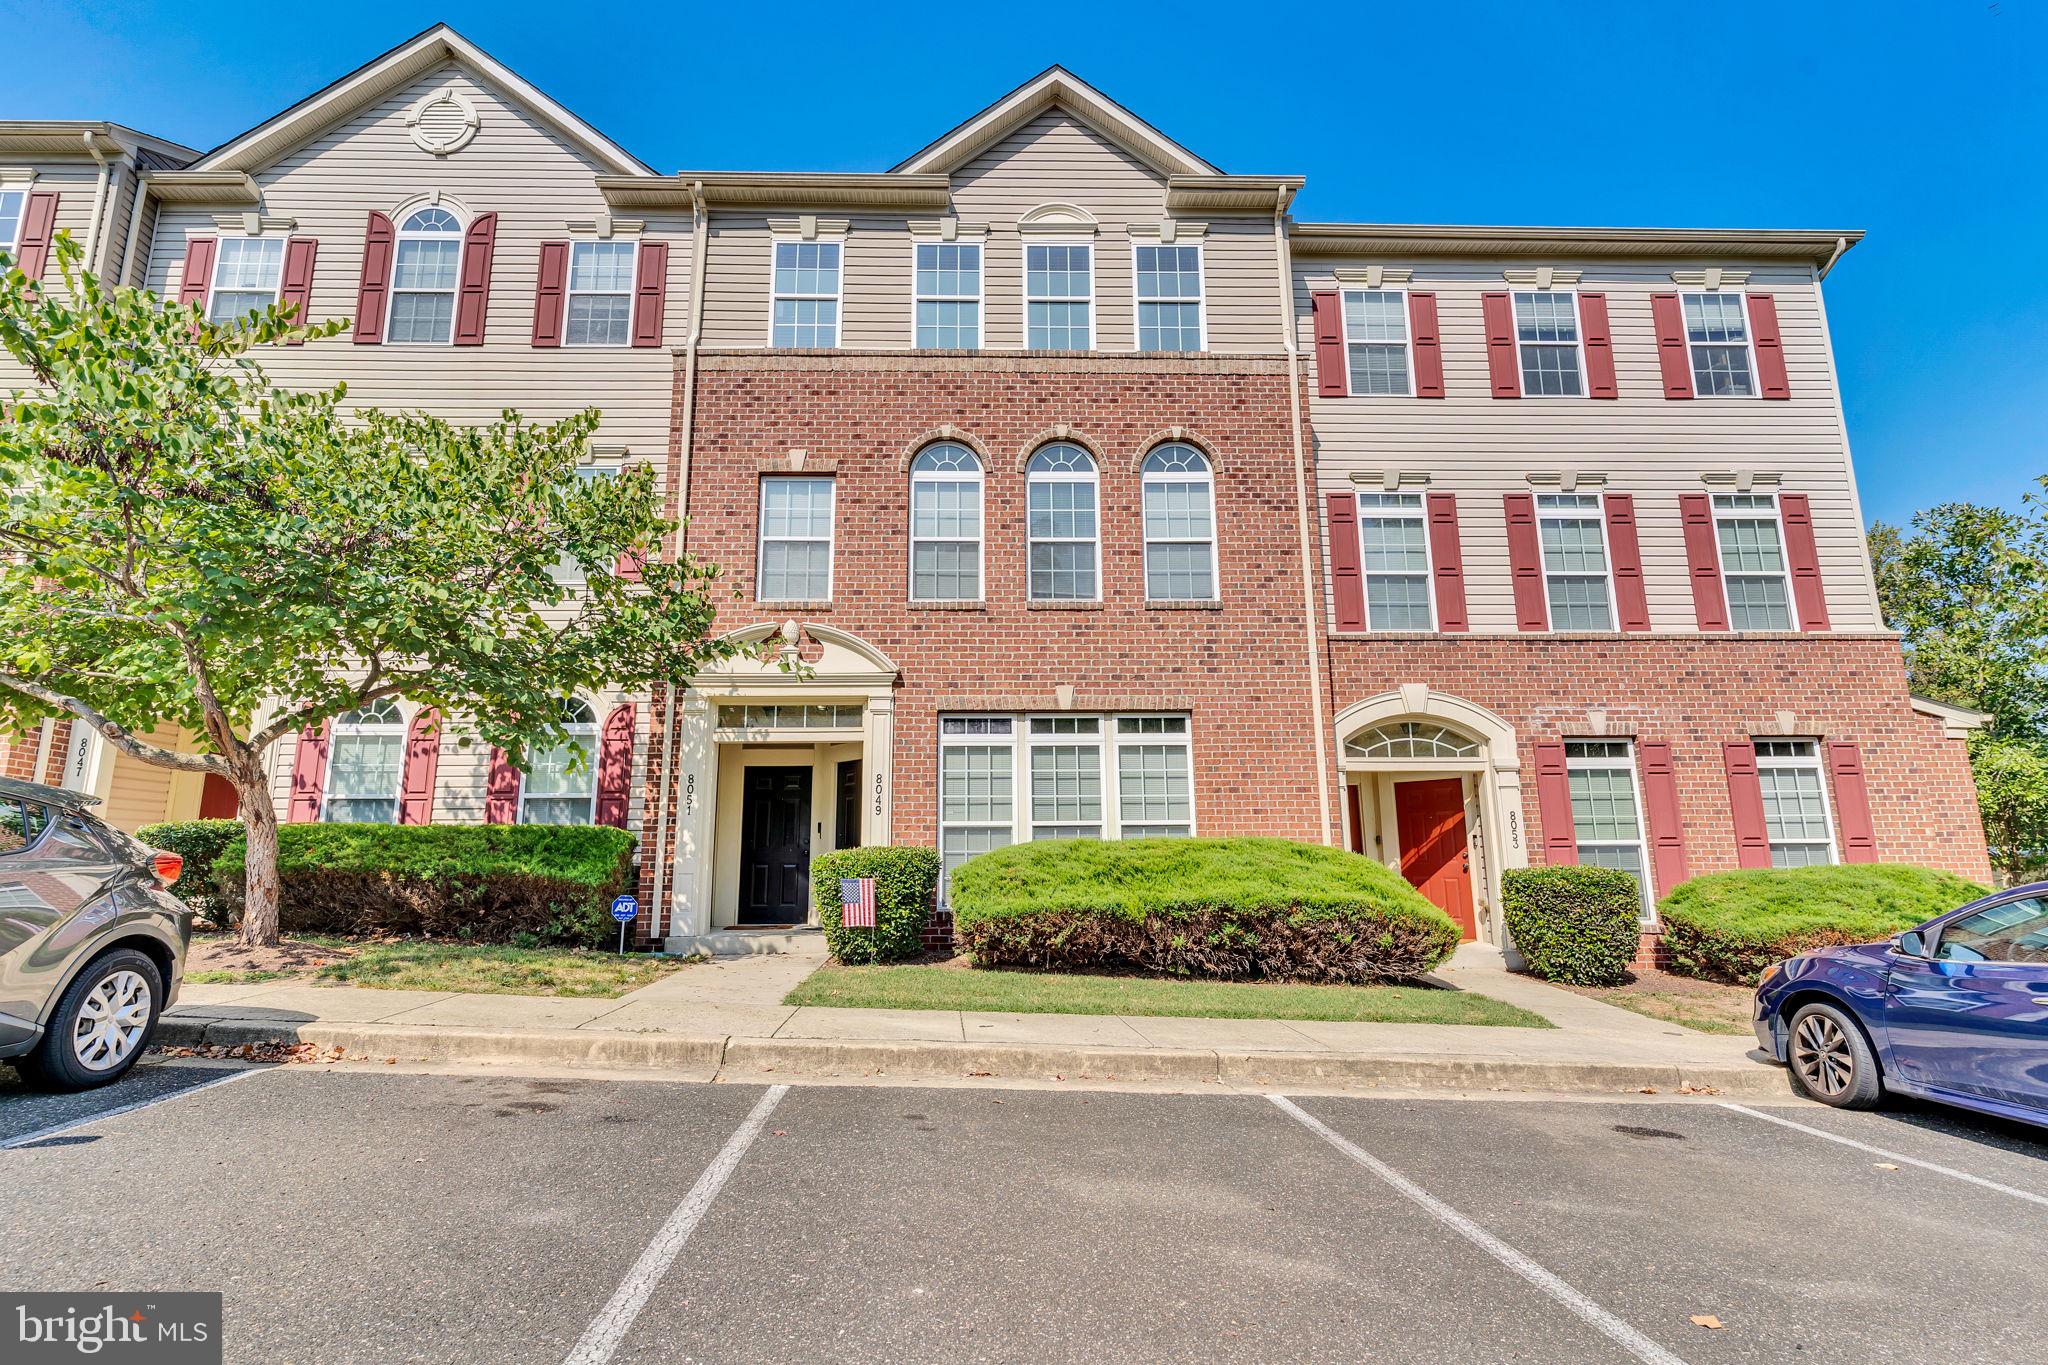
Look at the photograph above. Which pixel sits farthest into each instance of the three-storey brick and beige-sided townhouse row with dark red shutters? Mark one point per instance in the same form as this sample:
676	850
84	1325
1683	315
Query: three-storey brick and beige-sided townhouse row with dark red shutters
1099	494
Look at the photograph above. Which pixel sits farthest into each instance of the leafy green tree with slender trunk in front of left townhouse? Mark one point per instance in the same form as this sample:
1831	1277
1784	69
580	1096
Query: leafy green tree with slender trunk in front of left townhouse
183	541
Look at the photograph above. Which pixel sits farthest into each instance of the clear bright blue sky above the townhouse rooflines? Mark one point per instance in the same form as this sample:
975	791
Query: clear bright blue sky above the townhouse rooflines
1922	124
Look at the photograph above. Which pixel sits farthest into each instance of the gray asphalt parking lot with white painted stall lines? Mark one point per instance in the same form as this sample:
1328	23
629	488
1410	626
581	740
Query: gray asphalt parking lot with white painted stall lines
372	1217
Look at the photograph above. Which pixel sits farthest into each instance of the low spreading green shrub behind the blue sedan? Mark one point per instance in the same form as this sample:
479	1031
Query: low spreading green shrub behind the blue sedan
1730	926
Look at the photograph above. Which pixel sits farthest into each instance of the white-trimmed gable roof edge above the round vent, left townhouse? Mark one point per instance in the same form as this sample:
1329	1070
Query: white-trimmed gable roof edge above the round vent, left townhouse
394	71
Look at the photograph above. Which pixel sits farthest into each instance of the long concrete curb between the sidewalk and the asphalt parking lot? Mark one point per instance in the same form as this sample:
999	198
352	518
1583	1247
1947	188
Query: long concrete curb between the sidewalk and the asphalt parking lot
759	1059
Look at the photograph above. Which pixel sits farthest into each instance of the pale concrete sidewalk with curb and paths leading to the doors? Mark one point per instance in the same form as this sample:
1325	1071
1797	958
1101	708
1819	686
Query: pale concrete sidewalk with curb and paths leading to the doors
728	1020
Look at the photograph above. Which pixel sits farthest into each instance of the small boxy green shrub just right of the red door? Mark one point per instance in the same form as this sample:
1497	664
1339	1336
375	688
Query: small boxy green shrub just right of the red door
1580	926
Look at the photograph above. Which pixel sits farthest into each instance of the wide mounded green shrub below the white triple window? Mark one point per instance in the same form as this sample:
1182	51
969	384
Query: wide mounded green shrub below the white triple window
1199	908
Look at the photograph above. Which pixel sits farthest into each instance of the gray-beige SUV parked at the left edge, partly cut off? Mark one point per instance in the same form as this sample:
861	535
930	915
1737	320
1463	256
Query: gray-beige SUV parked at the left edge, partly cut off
91	940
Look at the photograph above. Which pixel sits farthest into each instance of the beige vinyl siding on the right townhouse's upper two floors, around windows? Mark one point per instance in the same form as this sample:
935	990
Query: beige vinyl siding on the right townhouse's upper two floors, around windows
1480	447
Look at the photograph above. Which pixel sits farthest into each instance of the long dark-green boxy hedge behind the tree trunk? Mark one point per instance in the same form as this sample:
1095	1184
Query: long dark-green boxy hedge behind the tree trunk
480	883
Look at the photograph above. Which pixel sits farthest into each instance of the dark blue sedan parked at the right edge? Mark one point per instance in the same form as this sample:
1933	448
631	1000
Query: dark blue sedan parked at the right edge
1953	1012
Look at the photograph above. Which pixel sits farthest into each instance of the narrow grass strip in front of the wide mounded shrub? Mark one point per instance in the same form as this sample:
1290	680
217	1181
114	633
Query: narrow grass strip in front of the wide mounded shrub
1052	994
